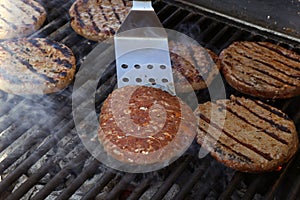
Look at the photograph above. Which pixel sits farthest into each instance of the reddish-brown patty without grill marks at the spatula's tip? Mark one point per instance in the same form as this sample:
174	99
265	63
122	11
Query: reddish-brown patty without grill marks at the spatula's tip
144	125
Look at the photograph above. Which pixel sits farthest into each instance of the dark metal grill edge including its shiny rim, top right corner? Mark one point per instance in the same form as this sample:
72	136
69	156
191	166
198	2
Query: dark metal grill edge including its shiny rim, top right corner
281	18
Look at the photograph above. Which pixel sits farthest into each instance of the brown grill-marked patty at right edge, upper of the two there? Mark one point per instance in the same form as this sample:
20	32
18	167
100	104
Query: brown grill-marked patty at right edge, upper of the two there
262	69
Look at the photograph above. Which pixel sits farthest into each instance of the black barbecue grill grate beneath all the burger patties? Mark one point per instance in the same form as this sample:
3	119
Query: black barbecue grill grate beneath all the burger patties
42	157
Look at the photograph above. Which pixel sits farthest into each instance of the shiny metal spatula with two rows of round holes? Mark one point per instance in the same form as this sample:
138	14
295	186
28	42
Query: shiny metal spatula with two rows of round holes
142	51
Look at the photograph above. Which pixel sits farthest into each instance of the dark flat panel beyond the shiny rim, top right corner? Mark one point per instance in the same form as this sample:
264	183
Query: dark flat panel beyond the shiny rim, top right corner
279	15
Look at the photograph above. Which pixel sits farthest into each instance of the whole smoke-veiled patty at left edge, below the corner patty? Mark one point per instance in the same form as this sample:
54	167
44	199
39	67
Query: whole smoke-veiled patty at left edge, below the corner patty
35	66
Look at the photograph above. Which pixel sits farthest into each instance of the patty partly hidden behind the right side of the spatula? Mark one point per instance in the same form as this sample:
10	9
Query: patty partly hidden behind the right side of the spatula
194	67
